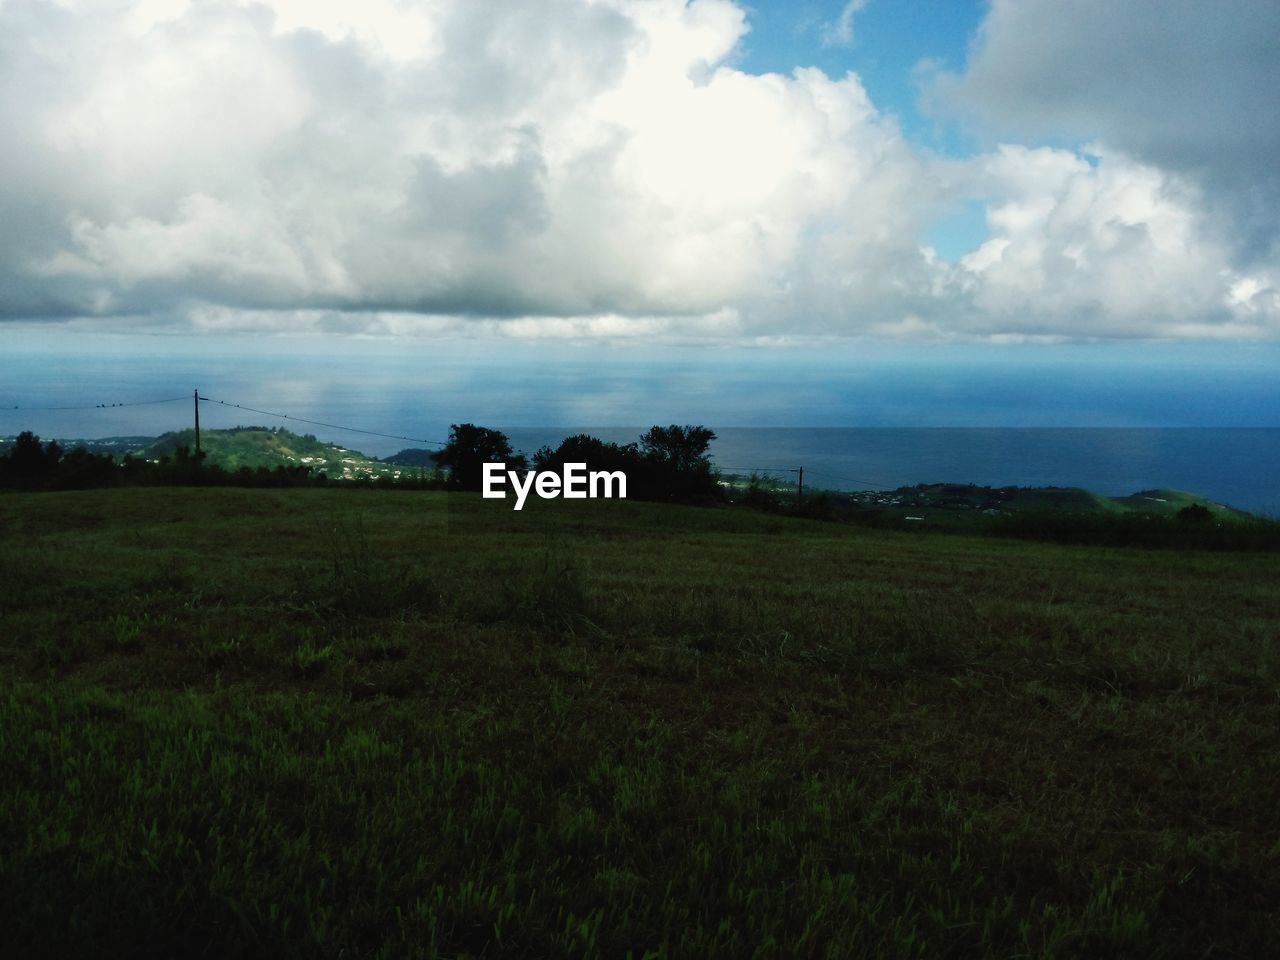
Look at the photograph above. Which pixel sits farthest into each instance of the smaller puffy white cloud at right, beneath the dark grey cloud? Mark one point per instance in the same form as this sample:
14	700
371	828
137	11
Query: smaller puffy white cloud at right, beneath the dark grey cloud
1110	248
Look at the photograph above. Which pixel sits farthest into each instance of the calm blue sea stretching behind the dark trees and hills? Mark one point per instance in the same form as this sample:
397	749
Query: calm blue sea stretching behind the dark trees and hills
417	391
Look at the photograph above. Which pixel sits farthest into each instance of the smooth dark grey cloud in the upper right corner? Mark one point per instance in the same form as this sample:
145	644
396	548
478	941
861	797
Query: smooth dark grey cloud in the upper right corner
1183	85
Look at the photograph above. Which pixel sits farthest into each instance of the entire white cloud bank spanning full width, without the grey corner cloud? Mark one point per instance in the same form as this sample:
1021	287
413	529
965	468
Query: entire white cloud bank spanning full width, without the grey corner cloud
557	168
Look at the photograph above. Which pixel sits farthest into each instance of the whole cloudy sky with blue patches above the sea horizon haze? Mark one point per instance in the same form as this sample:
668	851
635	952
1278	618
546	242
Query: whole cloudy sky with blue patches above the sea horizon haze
644	171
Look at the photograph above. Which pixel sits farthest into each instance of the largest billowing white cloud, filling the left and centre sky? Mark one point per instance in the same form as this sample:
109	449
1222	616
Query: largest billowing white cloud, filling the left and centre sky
554	159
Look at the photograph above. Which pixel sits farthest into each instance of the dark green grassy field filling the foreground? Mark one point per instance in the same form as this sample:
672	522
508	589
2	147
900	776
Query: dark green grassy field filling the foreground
385	724
